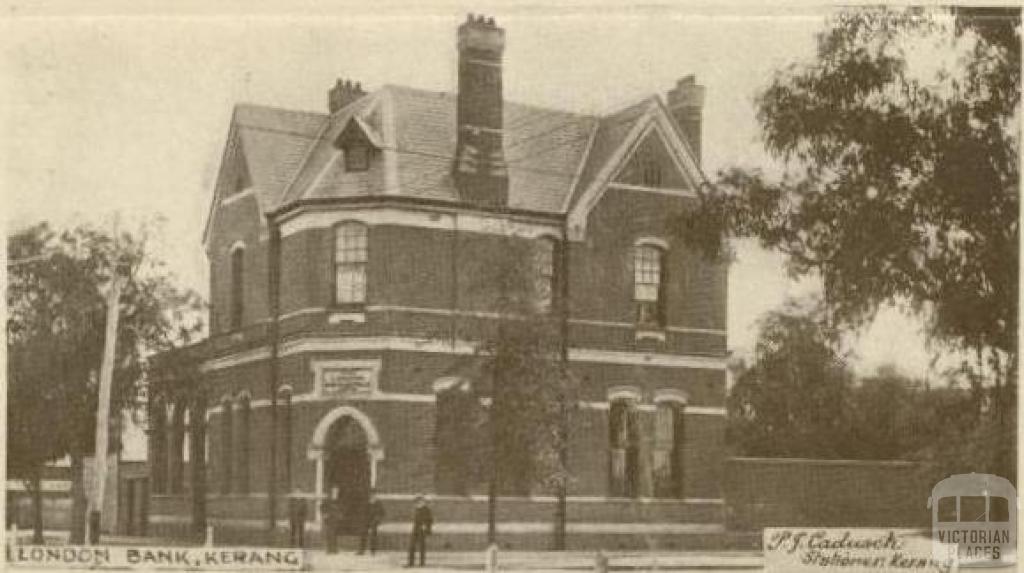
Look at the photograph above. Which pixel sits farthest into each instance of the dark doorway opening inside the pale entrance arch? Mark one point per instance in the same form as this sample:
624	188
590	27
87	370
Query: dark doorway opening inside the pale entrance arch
348	469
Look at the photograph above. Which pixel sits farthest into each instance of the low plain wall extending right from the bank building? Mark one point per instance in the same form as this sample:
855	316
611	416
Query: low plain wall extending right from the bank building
766	493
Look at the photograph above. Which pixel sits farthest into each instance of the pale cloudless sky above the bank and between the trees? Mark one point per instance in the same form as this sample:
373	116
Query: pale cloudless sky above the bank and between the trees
129	113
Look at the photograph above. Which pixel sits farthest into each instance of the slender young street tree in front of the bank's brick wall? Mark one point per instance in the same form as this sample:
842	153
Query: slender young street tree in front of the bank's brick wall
531	387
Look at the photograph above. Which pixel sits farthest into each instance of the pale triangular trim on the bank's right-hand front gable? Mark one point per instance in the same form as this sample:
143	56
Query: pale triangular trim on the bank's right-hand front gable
655	120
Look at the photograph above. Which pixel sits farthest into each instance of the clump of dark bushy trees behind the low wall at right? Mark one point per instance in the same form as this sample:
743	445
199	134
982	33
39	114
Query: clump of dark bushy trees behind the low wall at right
799	400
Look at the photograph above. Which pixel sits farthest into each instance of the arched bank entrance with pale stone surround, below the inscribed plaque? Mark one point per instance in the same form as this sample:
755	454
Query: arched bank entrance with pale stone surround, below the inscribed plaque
346	448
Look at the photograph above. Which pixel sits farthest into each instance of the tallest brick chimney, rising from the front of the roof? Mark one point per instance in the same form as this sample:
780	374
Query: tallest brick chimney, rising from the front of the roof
480	171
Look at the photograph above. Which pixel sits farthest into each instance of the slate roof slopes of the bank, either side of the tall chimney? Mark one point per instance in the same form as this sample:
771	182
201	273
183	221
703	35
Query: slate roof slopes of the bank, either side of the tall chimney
291	155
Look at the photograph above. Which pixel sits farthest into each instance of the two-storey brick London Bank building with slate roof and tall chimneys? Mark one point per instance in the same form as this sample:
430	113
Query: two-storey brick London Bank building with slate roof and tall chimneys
344	250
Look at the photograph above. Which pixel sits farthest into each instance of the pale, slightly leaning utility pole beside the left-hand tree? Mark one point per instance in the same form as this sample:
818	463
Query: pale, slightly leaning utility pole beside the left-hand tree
104	410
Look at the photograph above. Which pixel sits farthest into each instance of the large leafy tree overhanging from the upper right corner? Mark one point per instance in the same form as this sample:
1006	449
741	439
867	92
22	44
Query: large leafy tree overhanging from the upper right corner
904	181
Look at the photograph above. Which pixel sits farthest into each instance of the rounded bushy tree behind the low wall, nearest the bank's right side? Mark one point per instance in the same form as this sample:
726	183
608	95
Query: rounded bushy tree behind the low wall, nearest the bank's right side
792	403
